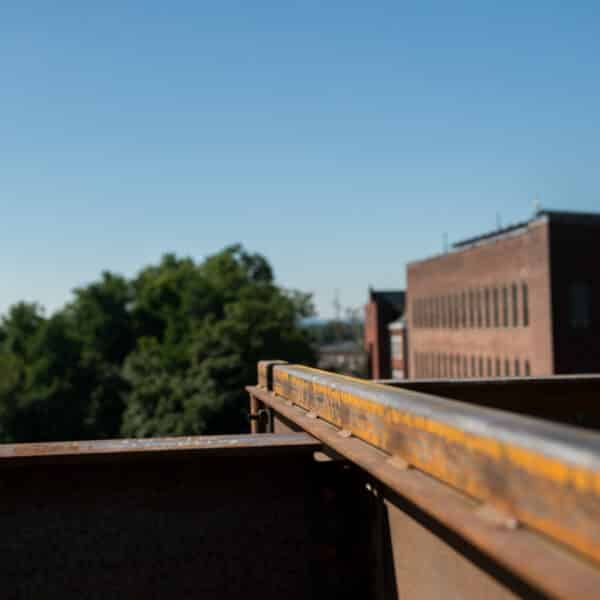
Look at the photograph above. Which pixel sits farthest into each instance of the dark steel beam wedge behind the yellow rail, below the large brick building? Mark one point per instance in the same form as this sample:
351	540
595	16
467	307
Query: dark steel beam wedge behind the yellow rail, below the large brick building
569	399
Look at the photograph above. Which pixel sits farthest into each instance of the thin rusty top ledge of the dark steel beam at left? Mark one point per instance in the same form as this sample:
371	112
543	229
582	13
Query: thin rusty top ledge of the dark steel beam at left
139	449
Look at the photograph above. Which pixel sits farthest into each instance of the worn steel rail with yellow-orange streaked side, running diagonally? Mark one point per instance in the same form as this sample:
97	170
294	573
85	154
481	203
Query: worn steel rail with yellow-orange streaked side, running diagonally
545	475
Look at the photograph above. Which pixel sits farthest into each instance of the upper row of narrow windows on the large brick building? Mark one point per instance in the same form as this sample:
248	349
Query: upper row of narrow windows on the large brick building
498	306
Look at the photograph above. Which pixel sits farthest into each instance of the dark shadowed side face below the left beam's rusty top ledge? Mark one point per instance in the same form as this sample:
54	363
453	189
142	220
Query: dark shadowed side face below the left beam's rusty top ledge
219	526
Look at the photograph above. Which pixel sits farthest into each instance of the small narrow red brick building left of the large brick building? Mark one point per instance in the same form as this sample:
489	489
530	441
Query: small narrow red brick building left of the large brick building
383	308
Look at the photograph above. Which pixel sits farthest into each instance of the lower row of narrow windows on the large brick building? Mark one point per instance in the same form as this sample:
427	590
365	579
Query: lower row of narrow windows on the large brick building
435	364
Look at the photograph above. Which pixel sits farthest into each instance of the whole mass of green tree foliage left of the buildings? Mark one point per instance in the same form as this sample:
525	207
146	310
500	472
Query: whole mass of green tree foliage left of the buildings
165	353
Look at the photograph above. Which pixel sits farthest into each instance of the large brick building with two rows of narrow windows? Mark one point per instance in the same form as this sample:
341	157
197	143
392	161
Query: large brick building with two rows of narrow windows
523	300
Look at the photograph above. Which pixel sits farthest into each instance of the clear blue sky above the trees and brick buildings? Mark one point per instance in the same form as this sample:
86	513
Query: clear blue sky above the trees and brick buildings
340	139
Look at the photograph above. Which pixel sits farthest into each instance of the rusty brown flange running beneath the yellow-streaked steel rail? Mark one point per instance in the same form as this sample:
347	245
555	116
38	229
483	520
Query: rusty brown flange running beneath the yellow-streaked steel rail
545	565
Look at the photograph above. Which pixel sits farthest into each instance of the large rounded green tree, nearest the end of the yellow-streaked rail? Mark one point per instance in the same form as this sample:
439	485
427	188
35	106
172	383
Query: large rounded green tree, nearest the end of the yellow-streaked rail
212	323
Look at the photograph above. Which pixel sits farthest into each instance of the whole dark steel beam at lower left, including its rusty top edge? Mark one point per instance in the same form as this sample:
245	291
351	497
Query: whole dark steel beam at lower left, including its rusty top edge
212	522
